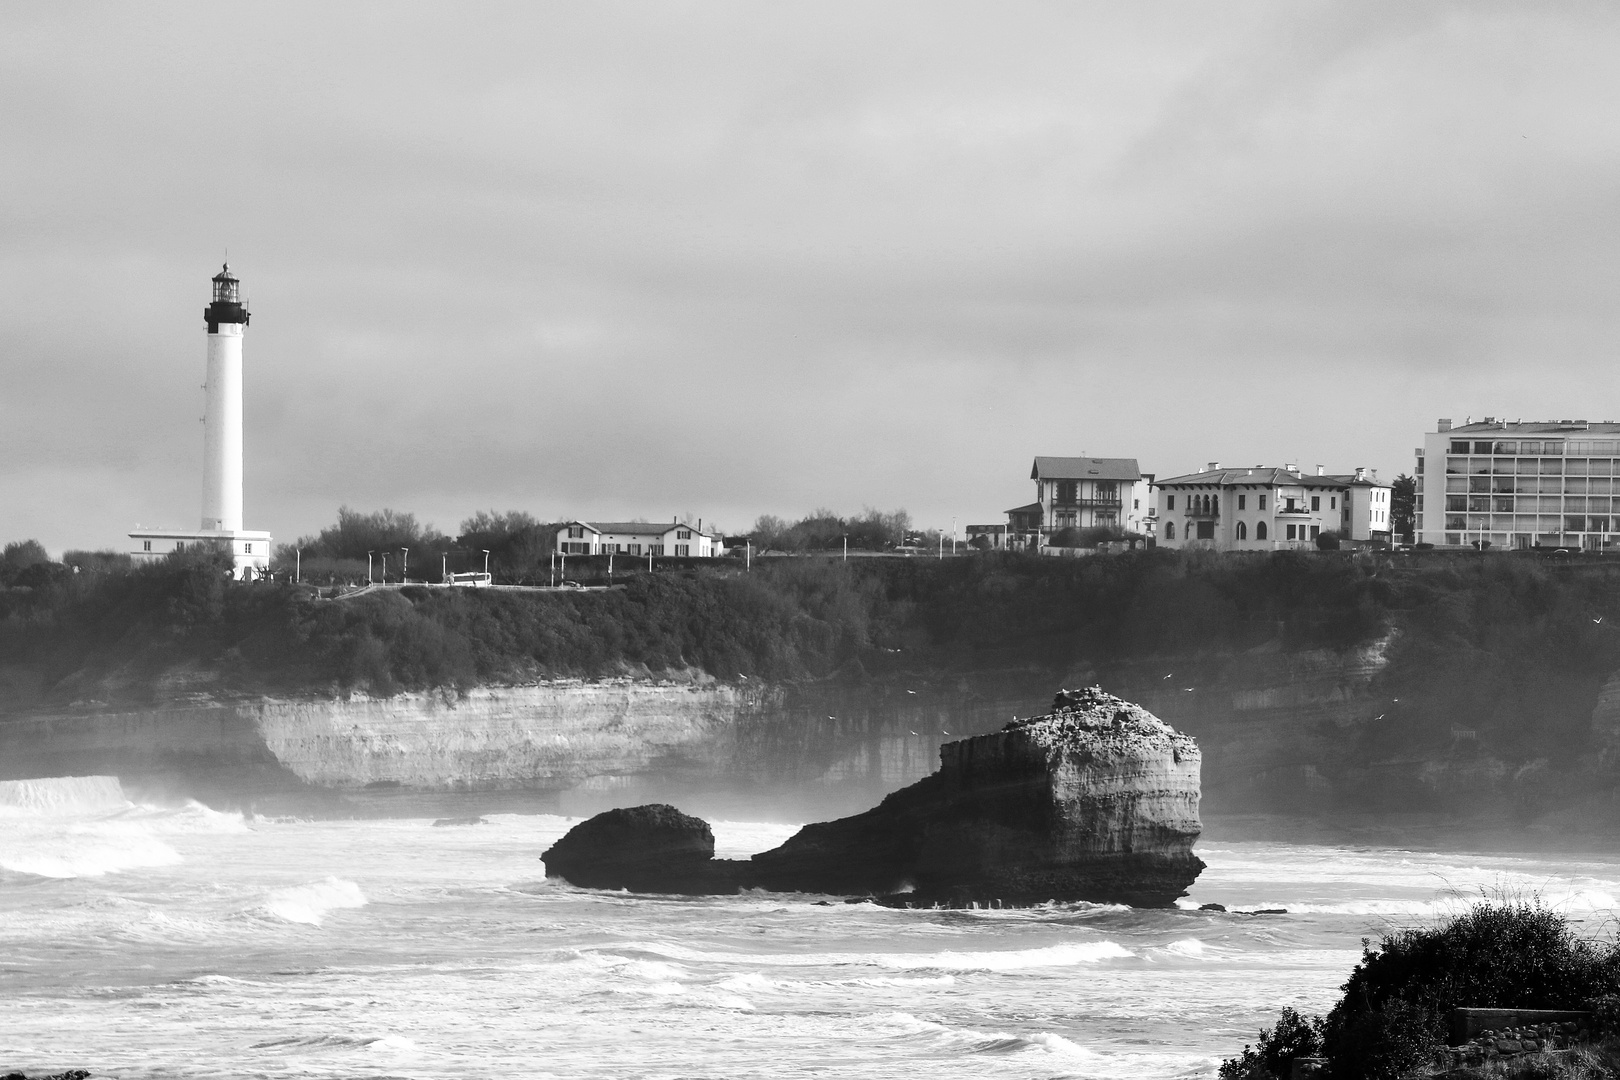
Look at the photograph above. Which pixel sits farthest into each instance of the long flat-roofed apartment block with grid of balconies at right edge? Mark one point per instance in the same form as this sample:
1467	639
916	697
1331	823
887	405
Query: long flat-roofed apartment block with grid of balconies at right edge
1520	485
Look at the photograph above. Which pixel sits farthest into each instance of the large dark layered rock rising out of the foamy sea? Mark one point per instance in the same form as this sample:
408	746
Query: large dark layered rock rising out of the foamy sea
1099	801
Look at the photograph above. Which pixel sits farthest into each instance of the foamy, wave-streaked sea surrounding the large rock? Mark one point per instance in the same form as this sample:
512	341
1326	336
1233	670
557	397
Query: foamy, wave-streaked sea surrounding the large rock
181	942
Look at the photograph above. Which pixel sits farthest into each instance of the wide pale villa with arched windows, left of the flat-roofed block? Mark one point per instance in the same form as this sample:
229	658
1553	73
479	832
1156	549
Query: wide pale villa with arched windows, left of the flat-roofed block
1269	509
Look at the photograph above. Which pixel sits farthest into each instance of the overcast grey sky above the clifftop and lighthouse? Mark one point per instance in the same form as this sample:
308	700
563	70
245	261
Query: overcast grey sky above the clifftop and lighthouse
612	261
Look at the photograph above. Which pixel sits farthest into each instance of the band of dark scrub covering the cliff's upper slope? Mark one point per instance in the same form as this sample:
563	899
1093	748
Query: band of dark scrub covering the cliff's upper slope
1494	632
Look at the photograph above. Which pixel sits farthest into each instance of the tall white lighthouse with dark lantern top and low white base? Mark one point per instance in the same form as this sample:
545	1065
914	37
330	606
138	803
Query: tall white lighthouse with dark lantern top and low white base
228	321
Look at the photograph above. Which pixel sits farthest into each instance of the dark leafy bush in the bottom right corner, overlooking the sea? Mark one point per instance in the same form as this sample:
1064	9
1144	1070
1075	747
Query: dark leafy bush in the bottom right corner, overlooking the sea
1391	1021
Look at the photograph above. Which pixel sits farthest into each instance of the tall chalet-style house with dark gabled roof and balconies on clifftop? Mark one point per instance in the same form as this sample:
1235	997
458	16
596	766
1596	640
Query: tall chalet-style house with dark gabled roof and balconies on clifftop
1083	493
